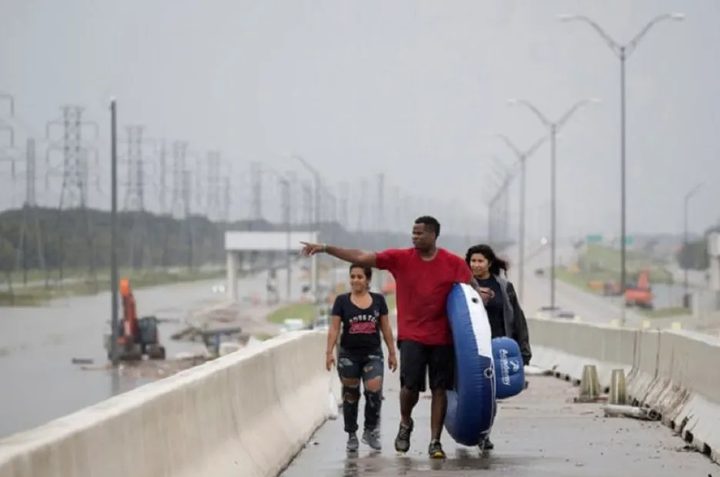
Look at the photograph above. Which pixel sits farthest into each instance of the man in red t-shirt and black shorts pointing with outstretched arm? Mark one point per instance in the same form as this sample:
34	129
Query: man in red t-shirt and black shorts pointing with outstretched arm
424	275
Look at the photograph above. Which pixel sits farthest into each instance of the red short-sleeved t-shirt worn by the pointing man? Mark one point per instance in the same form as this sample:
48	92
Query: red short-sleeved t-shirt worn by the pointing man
422	287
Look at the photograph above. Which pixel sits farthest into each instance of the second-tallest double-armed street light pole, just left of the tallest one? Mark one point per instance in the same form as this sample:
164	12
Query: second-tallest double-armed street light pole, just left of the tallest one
553	127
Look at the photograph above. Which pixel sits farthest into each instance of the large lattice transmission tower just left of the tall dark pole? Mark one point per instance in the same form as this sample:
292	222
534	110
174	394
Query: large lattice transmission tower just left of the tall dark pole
75	178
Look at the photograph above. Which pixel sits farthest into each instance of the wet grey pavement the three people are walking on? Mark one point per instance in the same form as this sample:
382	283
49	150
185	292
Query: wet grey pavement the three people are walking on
541	432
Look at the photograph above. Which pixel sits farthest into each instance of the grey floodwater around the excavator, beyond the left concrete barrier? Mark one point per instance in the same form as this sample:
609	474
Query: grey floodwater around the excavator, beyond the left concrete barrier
37	345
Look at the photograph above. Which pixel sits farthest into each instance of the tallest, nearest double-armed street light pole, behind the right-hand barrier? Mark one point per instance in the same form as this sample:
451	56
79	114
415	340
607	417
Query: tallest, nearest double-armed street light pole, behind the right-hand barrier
622	52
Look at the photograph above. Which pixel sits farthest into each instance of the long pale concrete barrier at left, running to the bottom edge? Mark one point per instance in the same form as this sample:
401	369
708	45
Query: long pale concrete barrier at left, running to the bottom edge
245	414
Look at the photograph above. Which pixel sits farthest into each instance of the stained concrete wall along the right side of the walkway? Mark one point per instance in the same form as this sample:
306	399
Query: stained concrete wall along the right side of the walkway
675	373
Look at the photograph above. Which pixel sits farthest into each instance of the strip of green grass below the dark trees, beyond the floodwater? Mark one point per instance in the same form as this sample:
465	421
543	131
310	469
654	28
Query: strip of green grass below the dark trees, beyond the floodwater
37	294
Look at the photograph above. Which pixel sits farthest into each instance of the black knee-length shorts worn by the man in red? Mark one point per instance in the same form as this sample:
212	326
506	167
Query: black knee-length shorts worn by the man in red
417	360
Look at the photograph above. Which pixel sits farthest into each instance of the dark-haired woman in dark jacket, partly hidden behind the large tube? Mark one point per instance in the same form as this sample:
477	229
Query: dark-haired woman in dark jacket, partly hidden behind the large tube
503	309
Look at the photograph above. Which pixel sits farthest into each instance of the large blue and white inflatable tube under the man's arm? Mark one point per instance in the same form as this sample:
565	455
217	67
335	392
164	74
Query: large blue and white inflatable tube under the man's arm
471	405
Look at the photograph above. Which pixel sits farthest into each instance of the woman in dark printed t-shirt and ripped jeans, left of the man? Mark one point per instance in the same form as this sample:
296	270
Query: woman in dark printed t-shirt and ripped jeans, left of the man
363	315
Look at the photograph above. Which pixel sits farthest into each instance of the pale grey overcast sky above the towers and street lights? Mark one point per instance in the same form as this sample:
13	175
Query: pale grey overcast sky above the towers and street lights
408	88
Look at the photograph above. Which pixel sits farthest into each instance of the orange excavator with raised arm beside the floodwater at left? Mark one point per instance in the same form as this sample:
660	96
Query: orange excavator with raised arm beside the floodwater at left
136	337
